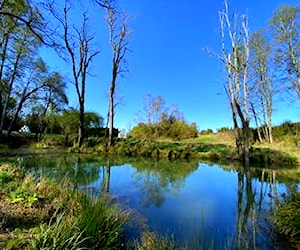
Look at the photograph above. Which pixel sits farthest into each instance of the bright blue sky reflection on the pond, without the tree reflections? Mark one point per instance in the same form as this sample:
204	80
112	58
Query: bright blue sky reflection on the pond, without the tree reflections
205	204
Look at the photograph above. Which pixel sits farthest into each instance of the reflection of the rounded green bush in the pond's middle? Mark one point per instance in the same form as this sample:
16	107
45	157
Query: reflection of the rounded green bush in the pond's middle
155	178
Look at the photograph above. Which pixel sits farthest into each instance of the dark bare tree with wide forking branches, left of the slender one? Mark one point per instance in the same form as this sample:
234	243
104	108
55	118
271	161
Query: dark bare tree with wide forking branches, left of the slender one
78	46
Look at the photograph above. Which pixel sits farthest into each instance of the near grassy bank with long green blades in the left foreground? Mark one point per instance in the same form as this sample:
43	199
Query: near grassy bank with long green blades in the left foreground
41	214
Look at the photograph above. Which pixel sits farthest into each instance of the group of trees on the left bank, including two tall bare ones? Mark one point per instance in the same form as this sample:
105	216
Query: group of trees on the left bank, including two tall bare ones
30	92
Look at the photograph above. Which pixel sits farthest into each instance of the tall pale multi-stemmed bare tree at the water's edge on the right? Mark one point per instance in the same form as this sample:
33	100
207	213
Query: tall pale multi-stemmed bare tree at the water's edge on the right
235	57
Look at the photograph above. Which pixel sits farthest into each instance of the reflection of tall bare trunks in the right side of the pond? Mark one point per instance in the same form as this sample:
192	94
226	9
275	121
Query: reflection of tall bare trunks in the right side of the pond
256	198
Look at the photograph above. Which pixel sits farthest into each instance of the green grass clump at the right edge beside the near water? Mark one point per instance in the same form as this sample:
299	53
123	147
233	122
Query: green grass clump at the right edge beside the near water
287	216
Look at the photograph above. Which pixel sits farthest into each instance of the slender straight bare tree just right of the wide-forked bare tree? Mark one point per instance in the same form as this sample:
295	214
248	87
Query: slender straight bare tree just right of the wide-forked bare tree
118	23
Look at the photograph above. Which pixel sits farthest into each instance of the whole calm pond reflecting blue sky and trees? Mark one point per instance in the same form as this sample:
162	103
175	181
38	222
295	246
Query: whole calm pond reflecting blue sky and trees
201	205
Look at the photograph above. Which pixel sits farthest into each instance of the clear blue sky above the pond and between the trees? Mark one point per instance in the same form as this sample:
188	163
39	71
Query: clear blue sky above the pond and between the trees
167	59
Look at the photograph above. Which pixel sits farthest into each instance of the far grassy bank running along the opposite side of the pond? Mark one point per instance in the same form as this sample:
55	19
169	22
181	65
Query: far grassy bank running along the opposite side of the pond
213	147
